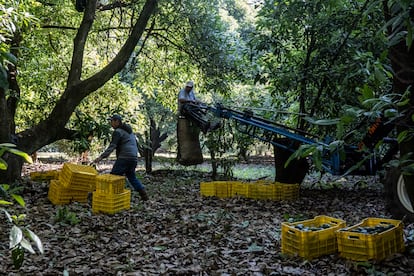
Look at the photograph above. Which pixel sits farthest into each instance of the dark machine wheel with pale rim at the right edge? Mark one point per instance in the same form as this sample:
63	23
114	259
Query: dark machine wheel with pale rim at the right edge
398	202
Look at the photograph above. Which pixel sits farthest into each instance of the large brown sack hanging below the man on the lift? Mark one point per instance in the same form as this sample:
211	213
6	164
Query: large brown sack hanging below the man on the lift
189	151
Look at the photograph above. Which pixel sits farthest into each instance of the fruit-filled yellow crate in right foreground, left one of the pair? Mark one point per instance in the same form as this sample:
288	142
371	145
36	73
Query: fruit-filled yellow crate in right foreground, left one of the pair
308	238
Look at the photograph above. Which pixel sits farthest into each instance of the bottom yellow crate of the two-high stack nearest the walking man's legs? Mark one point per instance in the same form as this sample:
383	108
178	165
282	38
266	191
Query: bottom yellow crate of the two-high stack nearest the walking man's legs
111	203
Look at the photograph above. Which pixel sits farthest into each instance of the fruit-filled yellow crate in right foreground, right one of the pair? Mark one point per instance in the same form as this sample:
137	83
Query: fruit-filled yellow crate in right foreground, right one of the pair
358	246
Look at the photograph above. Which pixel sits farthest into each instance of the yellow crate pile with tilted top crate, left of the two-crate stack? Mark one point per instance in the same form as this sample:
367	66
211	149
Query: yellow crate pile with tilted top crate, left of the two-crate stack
74	184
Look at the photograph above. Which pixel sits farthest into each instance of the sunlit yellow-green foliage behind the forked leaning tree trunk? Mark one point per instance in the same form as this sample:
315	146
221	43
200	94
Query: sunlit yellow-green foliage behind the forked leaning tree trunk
190	40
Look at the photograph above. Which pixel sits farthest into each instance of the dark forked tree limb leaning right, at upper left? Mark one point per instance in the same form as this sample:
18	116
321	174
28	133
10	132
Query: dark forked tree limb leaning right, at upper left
76	90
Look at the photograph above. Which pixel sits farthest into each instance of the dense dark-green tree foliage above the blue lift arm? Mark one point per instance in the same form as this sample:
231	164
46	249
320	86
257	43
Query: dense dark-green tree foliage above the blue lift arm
316	54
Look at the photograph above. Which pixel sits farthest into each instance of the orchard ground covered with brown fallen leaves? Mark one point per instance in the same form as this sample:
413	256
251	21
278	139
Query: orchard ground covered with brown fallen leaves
178	232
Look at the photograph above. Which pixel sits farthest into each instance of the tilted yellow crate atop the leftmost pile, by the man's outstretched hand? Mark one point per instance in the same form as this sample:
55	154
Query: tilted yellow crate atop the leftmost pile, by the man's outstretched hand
79	177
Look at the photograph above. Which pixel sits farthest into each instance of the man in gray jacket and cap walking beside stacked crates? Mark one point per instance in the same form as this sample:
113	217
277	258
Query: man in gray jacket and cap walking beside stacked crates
125	143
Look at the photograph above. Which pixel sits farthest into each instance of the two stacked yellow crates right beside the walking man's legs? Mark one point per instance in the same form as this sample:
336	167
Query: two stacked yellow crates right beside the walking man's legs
110	195
